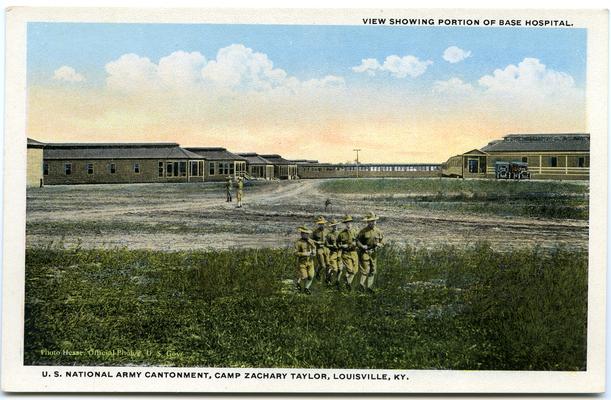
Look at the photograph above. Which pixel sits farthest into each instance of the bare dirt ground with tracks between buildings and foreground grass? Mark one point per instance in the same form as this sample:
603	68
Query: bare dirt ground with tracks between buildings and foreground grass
196	216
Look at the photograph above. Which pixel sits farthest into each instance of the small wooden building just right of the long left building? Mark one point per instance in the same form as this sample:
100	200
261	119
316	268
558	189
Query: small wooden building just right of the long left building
220	163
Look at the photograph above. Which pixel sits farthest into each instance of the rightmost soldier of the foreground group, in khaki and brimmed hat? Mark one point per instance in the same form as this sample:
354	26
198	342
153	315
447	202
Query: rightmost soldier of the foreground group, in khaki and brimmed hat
368	241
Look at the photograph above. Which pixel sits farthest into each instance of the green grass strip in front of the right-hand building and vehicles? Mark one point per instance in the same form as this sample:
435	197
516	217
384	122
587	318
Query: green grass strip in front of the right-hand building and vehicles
541	199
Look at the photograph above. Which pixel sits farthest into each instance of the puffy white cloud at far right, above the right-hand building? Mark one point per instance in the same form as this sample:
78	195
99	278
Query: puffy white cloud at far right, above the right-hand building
529	77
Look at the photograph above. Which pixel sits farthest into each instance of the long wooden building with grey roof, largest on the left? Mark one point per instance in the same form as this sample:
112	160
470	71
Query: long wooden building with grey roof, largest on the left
77	163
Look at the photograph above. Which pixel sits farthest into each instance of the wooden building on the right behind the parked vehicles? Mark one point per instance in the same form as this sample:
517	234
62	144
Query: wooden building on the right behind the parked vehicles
549	156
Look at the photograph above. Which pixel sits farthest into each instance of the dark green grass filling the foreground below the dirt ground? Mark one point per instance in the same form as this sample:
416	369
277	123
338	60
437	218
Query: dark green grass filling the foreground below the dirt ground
449	308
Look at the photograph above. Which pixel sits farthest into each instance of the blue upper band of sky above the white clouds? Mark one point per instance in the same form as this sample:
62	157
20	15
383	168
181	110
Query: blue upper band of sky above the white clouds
305	51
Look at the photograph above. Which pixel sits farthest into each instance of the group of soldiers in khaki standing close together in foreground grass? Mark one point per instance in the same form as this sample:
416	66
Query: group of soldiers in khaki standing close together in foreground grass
336	257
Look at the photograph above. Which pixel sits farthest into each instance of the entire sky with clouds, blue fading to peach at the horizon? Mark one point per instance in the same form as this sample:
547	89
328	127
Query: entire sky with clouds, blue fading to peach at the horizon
401	94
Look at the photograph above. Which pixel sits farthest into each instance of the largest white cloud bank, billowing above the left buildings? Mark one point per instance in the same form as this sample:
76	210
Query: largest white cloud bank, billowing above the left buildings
236	67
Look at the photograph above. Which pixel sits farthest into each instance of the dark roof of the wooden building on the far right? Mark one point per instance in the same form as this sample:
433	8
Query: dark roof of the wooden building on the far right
549	142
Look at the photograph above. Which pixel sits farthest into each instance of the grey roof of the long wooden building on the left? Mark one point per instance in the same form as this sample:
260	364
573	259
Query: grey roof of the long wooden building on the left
92	151
